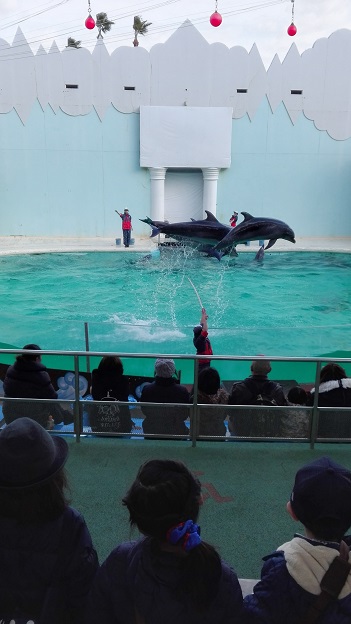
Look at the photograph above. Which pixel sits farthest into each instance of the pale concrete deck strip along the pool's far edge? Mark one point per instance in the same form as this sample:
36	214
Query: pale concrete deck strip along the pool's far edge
10	245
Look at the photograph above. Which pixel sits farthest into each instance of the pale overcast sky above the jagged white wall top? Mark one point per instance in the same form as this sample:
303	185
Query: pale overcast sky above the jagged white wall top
245	22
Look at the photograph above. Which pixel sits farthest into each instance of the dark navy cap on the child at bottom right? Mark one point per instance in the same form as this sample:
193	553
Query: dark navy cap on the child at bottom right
322	494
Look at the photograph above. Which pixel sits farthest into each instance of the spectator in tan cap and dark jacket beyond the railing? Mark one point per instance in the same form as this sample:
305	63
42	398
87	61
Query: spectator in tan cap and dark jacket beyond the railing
265	422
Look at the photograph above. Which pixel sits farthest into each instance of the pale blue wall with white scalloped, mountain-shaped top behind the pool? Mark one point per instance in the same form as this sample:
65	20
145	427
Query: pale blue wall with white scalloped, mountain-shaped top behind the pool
69	157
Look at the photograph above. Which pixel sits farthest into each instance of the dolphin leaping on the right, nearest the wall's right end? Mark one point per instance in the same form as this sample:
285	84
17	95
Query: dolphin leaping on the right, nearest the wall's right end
253	228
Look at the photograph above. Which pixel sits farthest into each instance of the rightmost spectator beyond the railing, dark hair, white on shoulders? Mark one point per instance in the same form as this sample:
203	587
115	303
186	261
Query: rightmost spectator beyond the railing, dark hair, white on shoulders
334	391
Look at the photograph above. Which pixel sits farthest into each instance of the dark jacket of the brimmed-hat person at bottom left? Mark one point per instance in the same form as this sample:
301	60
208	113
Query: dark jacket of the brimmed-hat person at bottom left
51	564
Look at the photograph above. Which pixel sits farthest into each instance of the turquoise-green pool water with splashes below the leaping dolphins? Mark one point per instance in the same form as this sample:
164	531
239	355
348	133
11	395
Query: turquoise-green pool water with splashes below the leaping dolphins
292	304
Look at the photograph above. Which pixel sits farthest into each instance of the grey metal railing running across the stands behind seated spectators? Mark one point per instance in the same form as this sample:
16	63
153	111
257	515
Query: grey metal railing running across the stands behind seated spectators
194	407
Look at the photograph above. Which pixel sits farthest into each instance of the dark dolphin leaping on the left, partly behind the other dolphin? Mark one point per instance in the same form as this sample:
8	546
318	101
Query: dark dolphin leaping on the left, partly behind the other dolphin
203	234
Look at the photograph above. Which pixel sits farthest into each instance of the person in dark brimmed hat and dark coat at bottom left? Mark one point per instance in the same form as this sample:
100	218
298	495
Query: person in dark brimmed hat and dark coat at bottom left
47	558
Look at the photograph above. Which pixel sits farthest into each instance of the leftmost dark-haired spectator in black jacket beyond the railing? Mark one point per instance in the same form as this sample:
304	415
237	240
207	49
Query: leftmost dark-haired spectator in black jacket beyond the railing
29	378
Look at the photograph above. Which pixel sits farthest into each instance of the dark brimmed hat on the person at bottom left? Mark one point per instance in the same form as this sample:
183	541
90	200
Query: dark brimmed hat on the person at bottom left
29	455
